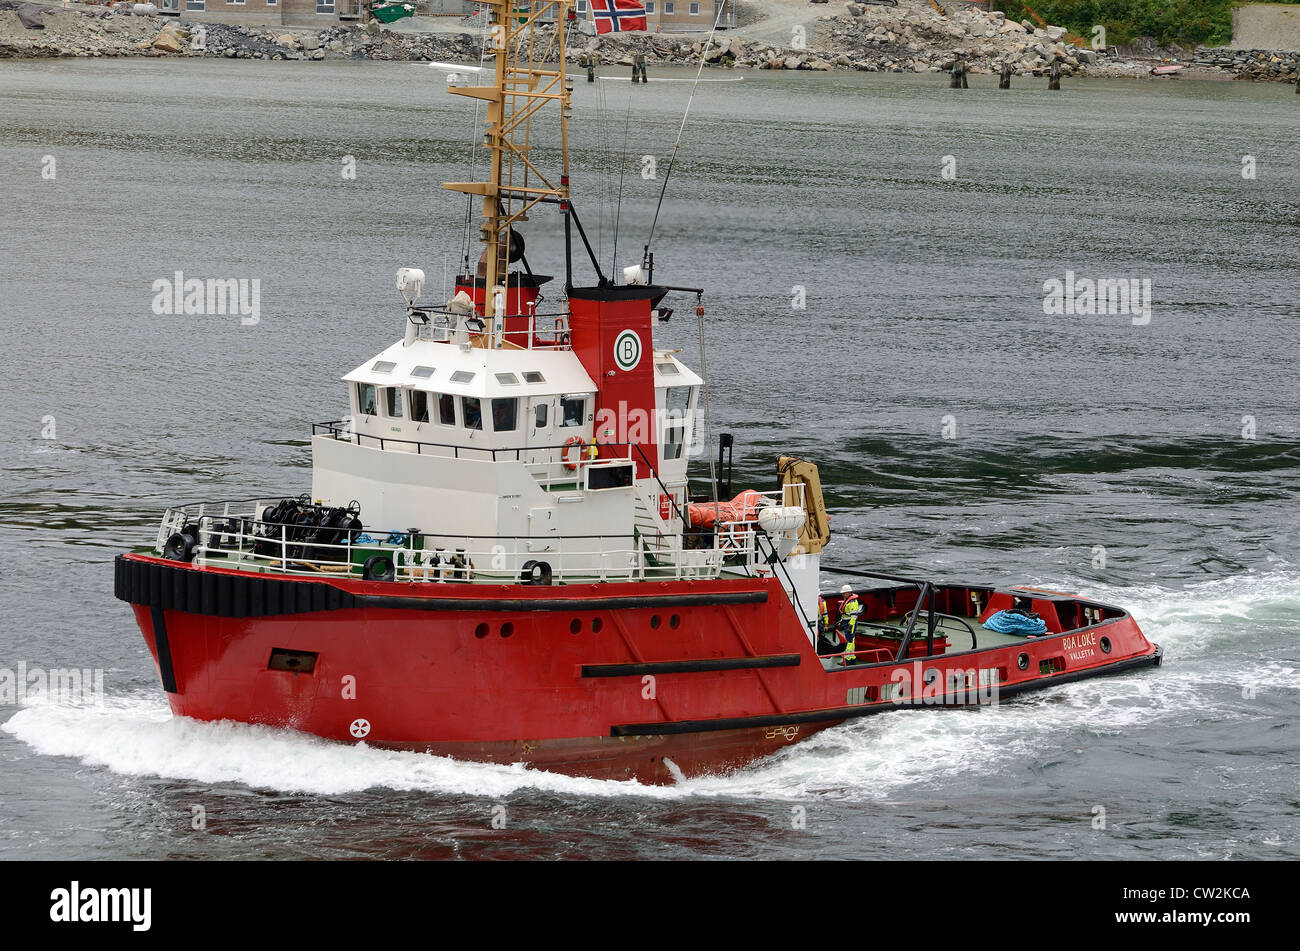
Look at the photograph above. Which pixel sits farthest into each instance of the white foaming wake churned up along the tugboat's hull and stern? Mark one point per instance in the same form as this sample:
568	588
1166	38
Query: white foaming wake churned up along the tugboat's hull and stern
873	758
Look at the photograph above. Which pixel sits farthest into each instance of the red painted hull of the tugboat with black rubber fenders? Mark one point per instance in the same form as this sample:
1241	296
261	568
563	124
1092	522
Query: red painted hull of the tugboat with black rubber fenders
597	680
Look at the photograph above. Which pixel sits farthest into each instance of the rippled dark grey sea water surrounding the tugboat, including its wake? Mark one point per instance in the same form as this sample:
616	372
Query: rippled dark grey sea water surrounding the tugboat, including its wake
1169	448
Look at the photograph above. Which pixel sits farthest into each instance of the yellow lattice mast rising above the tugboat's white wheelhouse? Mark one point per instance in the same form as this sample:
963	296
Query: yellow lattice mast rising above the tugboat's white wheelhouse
526	81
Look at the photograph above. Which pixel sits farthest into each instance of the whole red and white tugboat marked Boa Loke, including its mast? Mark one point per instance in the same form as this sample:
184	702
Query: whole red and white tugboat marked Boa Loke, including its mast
501	559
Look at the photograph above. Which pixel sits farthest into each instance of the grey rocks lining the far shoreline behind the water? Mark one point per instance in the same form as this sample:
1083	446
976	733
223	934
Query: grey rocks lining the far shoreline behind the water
909	38
